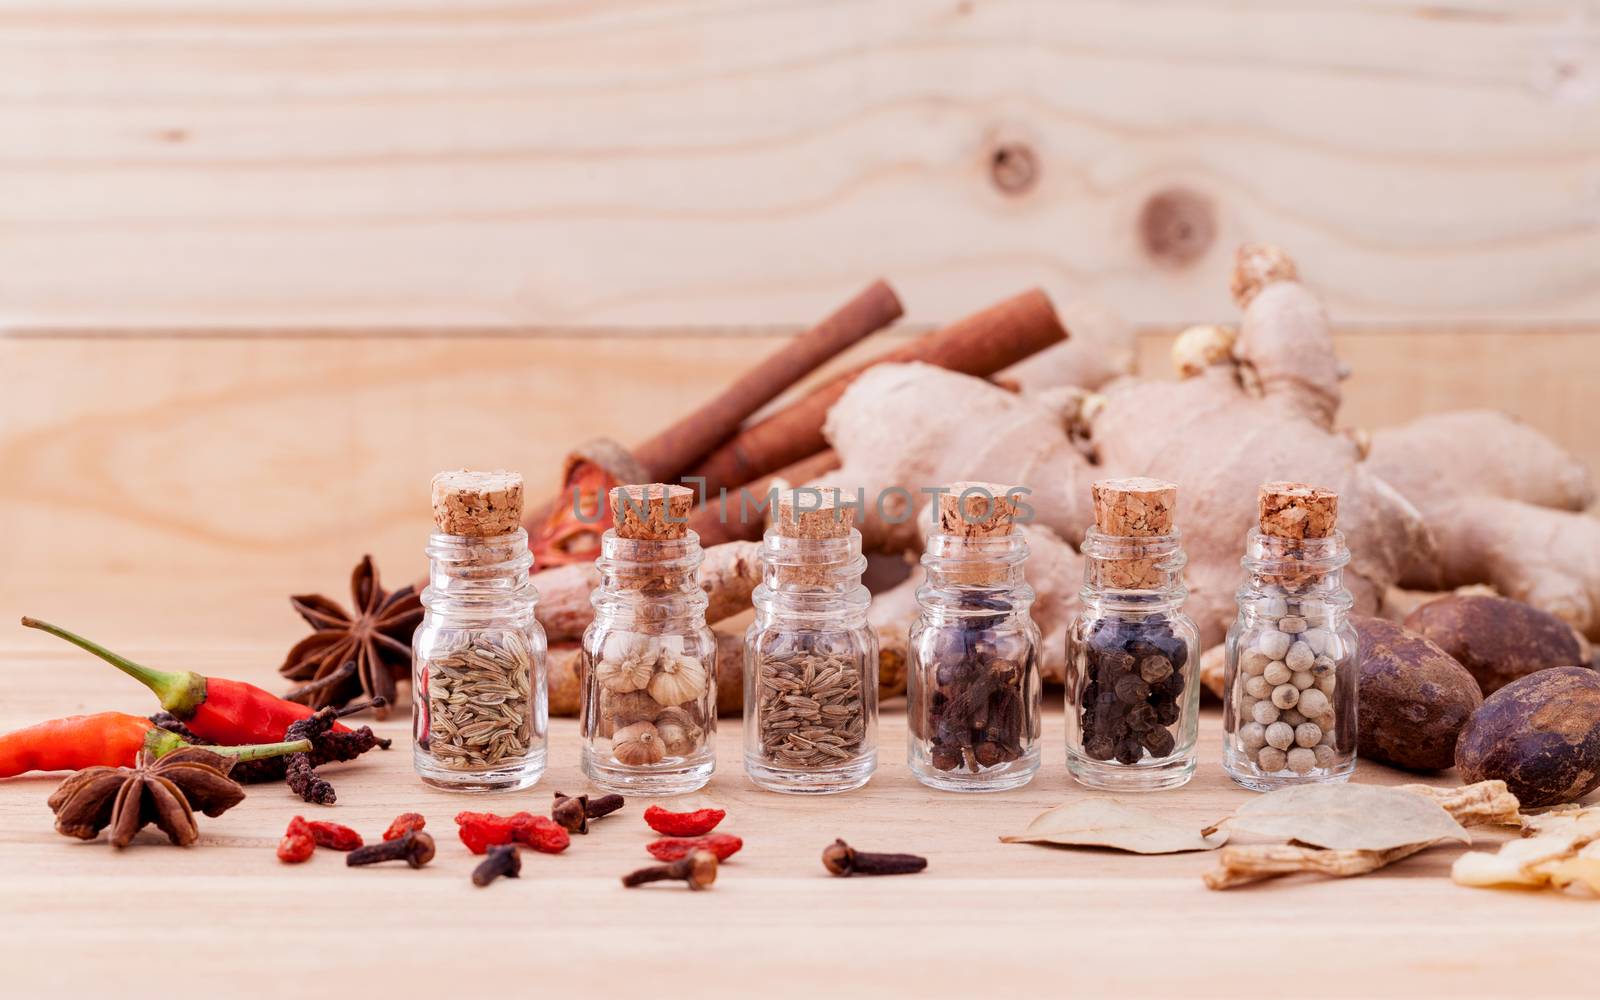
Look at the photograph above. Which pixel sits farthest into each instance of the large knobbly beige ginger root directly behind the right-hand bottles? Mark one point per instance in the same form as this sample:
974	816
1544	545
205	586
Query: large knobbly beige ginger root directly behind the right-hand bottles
1260	412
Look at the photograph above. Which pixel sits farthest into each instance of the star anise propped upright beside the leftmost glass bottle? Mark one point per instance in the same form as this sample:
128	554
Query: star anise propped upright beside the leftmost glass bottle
377	639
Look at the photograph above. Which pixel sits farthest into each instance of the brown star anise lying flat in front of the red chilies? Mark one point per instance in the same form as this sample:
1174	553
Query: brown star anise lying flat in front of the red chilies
164	791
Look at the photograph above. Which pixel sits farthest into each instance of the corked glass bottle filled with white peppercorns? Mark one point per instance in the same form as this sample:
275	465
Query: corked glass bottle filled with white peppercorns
1292	671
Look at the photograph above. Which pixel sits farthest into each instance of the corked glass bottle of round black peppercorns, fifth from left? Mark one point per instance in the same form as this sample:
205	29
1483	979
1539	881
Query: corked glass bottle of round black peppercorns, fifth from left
1134	705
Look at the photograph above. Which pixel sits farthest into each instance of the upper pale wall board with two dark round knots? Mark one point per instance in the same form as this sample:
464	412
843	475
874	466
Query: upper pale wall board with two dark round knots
706	162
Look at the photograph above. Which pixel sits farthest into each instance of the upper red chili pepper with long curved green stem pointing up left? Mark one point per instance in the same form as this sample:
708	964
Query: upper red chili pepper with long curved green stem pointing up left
215	708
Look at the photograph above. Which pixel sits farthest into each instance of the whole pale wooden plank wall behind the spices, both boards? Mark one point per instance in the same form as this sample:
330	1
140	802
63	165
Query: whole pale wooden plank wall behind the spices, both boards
268	266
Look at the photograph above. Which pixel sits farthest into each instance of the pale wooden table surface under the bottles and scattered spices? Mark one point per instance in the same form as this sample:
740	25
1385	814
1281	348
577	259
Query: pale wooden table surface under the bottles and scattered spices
225	916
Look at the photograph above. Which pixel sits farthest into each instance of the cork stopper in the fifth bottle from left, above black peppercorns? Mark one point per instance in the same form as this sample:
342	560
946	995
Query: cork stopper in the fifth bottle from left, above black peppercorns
1132	510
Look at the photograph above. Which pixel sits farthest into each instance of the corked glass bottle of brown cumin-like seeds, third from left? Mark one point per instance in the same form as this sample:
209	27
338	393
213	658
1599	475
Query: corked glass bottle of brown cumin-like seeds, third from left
810	657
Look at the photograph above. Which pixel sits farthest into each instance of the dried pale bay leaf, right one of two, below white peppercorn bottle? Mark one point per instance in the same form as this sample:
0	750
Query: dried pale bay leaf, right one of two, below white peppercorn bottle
1346	818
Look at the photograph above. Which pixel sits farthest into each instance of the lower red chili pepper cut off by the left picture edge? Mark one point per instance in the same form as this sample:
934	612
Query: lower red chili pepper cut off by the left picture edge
106	740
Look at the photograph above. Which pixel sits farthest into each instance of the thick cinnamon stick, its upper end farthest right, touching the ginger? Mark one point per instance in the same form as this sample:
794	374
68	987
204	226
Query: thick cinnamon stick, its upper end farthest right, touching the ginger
980	345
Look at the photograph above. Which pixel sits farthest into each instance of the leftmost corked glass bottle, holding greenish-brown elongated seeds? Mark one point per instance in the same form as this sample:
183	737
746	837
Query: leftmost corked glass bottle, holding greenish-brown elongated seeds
479	690
